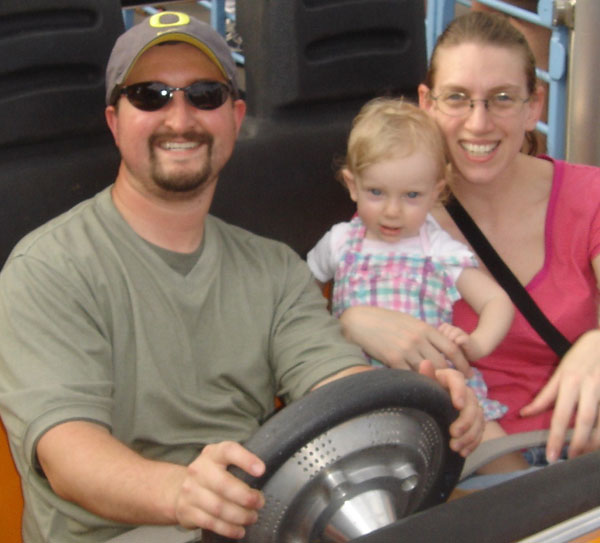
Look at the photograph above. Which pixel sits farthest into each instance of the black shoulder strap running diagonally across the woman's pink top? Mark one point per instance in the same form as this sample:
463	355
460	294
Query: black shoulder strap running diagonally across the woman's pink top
501	272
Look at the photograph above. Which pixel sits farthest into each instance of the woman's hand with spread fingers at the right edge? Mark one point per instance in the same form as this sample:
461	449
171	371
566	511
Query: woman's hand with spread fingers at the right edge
574	389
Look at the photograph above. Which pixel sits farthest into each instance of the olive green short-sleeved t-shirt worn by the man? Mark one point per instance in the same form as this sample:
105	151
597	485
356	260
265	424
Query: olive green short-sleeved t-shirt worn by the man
96	324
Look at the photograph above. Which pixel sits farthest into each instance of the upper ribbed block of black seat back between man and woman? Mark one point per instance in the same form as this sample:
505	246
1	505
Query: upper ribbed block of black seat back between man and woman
302	52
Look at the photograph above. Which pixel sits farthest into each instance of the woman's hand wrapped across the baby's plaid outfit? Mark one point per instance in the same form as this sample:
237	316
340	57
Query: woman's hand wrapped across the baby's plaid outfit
399	340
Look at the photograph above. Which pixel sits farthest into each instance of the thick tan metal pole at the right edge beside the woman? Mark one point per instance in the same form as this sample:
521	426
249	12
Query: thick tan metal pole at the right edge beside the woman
583	126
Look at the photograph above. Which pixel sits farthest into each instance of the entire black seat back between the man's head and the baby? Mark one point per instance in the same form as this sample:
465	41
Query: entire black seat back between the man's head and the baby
310	66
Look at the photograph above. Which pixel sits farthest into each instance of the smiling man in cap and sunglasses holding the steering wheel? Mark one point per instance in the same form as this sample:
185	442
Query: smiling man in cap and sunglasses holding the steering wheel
141	338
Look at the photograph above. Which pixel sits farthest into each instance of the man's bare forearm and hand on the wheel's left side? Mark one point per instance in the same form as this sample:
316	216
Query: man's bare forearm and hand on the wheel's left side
86	465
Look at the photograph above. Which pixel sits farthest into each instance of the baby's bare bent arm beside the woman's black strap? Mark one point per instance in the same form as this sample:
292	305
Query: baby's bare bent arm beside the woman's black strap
495	310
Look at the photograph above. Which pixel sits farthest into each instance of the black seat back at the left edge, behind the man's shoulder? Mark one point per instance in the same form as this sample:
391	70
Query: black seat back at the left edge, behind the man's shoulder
55	147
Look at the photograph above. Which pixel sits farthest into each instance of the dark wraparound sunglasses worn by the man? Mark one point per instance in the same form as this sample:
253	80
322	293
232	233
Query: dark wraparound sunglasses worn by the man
152	95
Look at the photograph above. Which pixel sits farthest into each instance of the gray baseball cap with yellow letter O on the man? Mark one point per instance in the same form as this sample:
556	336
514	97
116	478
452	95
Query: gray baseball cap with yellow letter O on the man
166	26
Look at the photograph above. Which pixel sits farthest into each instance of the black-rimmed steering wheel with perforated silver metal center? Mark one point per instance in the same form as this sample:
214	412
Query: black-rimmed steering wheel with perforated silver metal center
352	456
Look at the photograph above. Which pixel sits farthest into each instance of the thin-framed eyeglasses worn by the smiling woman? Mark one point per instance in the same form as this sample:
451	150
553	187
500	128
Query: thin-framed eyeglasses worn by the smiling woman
459	104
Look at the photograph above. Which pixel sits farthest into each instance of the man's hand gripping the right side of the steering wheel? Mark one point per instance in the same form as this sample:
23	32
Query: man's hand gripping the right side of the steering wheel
467	430
